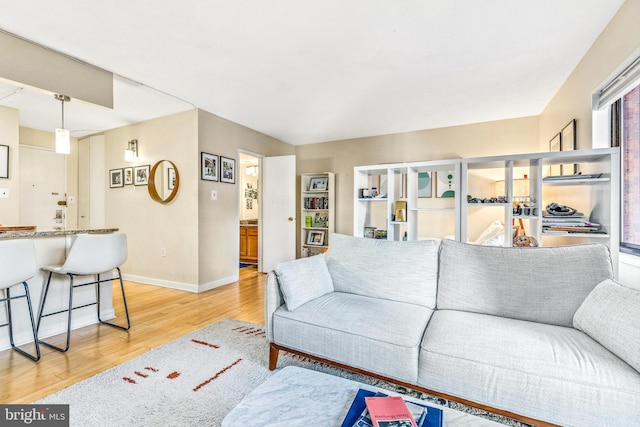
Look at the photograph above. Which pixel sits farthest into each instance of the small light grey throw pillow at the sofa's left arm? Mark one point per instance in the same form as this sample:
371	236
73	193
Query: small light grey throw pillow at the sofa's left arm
303	280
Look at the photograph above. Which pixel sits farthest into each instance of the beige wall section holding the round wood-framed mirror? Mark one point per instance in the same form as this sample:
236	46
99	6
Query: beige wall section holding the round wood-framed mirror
151	226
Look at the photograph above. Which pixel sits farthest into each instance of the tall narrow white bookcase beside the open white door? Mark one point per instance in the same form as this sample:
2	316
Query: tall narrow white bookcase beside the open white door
317	212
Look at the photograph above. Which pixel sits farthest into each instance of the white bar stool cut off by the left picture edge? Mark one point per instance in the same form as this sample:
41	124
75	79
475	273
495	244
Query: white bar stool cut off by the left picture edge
17	265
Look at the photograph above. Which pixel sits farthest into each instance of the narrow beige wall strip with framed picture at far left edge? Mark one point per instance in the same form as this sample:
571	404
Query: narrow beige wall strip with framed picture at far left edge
9	136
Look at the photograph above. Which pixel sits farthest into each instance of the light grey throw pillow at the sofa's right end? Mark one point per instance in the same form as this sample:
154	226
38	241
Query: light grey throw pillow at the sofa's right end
611	315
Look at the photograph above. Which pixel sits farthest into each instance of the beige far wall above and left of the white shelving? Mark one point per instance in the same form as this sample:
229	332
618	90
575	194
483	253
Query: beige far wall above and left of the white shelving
483	139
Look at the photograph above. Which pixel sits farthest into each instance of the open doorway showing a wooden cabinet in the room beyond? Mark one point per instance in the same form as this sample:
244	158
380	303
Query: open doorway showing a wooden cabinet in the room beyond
249	180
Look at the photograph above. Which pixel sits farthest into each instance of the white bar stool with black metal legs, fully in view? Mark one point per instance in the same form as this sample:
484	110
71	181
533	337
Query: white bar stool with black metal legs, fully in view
90	254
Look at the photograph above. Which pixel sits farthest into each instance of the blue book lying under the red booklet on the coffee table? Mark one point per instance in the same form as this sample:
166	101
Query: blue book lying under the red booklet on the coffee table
358	414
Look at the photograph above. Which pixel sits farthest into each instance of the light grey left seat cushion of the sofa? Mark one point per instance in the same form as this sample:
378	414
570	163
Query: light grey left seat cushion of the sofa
373	334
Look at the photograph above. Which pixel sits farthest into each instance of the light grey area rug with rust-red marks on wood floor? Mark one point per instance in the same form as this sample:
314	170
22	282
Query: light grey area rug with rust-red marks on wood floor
194	380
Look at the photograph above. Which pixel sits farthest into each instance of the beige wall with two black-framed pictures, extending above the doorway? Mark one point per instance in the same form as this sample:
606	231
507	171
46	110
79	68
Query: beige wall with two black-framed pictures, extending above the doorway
219	220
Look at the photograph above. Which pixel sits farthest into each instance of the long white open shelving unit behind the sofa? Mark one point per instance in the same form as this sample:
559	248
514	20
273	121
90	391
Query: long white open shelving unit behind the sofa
595	193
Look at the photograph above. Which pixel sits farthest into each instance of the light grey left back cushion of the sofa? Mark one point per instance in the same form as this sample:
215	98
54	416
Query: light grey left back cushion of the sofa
397	271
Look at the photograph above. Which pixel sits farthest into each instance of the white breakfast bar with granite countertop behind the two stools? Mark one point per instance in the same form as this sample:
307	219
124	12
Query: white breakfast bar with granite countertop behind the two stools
51	248
